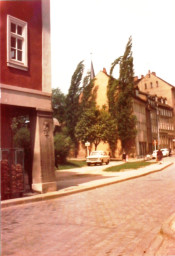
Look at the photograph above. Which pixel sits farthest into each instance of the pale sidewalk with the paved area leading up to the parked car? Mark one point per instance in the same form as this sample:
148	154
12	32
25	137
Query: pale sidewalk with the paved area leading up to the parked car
83	179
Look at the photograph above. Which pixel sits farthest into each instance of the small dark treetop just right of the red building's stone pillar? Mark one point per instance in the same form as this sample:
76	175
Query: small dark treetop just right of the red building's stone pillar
58	104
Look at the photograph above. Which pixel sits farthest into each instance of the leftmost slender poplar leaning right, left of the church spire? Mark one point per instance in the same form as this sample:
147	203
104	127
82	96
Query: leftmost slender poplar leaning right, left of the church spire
72	102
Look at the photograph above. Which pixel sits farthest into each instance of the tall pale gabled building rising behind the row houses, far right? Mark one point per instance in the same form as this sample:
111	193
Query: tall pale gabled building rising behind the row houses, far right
162	96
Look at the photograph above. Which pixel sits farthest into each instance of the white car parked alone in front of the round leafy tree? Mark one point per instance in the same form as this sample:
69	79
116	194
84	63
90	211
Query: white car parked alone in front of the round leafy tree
98	157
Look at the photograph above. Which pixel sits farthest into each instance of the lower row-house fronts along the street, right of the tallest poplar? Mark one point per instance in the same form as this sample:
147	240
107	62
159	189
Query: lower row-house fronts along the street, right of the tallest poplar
155	127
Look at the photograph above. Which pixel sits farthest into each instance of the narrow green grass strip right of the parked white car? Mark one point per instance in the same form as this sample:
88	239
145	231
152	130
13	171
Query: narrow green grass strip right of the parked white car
128	165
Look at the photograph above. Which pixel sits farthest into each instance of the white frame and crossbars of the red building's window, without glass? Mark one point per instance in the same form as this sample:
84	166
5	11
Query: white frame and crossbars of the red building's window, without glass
23	65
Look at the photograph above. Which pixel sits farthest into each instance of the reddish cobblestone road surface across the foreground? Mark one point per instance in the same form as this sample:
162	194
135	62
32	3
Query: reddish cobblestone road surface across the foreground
116	220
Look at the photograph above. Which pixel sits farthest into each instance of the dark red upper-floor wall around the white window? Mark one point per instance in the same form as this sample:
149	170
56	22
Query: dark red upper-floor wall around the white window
29	11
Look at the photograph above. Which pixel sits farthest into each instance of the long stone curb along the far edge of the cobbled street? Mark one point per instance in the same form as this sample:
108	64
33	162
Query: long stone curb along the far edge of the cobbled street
73	190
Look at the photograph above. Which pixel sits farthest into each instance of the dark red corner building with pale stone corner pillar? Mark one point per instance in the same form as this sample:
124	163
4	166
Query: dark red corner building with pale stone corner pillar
25	84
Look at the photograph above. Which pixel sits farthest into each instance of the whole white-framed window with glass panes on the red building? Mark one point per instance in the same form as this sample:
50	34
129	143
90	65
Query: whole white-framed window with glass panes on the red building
17	43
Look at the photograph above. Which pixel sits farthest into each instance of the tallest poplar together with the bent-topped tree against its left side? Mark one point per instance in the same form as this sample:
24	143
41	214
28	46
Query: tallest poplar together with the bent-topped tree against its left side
120	92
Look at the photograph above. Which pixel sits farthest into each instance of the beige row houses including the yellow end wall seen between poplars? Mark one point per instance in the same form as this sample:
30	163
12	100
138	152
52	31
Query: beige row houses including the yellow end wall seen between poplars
155	118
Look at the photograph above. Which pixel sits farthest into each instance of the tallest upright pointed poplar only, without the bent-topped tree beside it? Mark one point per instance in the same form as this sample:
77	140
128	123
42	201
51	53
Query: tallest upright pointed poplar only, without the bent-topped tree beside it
126	120
